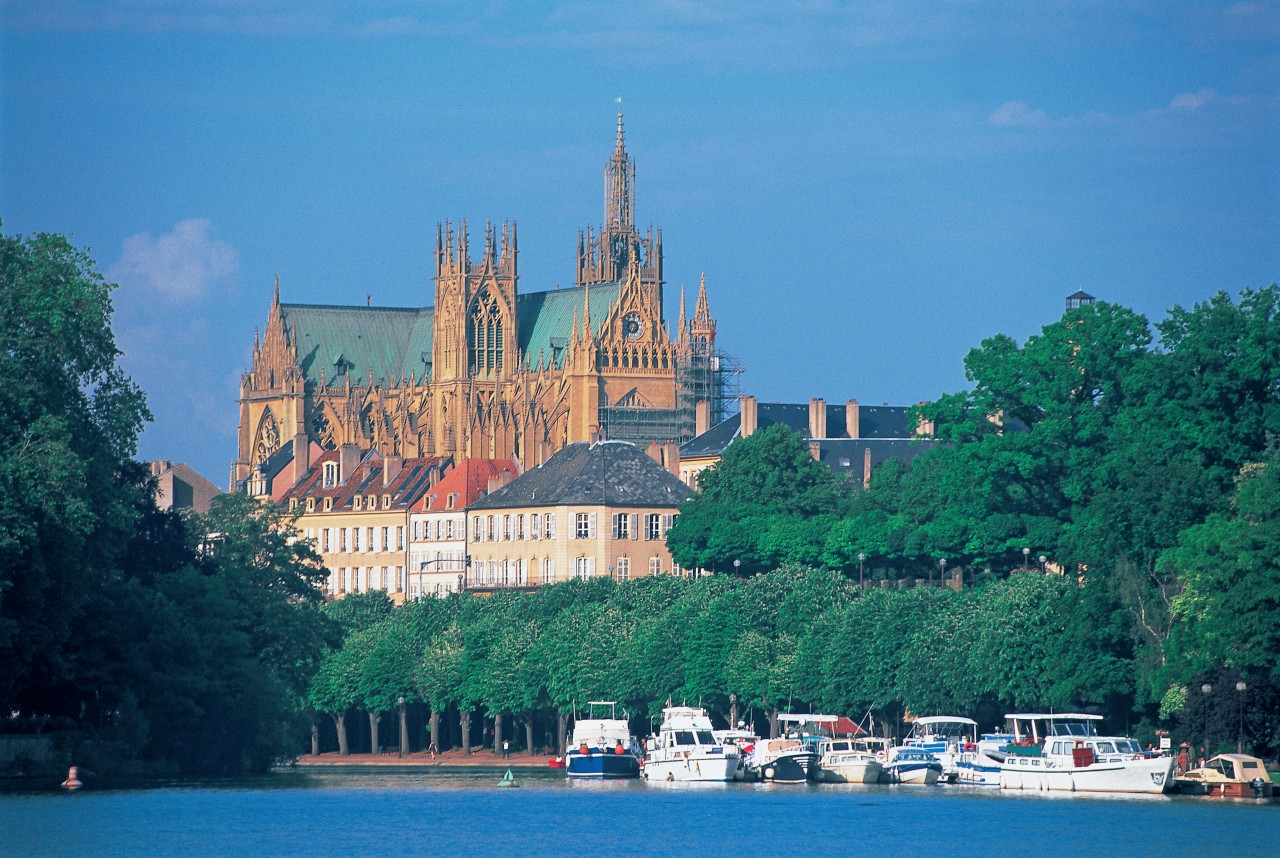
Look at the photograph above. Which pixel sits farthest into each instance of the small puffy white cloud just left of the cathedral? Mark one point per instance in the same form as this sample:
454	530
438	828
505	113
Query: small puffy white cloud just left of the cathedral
184	264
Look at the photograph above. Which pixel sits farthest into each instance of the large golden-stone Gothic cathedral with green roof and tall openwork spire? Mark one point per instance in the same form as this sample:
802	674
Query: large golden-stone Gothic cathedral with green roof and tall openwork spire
488	372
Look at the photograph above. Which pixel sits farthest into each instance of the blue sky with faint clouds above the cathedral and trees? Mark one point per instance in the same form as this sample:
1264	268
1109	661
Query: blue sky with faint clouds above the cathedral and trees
871	189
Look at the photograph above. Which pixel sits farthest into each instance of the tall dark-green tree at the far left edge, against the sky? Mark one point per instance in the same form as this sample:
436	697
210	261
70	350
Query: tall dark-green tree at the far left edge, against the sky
71	419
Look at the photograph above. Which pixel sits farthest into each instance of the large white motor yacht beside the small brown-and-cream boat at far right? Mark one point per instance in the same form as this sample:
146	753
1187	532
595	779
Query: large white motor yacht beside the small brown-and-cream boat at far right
1066	754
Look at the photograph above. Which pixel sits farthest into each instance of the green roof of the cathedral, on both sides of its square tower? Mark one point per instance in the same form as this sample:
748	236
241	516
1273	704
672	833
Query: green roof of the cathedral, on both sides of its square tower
396	343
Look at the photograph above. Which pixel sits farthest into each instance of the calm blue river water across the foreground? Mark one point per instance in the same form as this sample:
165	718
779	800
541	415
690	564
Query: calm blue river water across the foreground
433	814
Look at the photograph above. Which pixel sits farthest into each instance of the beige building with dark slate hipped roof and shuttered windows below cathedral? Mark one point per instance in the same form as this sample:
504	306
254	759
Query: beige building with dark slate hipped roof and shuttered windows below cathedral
591	510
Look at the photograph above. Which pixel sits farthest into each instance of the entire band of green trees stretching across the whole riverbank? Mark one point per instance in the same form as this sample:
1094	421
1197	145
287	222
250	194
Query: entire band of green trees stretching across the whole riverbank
1139	459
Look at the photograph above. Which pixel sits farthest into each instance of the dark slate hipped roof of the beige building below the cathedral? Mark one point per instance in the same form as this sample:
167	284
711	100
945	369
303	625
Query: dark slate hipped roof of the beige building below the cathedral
609	473
